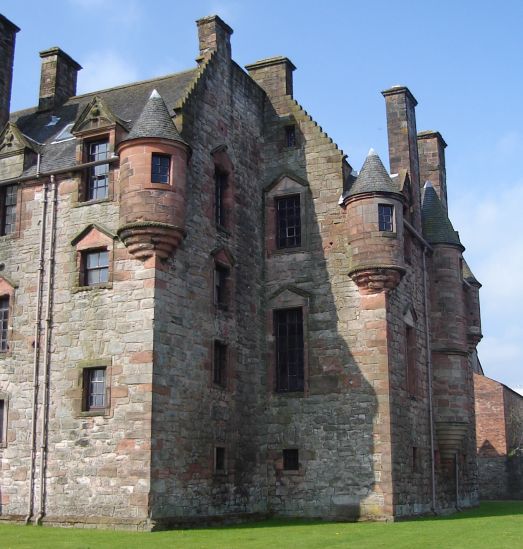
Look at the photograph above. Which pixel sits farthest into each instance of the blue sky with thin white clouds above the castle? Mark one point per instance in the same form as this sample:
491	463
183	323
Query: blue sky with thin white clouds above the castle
460	59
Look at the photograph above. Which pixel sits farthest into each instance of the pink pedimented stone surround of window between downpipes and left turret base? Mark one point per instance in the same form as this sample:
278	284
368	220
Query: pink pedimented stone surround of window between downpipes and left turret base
92	239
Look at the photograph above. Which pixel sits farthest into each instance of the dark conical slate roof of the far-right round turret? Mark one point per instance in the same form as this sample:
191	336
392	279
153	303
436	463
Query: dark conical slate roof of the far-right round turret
437	228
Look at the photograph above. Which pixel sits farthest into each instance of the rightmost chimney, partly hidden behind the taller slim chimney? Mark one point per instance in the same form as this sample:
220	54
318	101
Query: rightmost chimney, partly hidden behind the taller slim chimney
431	149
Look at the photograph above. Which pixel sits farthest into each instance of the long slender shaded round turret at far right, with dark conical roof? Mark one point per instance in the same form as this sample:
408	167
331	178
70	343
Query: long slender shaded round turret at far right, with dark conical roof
452	380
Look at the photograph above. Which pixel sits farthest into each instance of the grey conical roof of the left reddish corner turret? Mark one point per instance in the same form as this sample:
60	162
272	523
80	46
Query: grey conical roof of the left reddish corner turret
155	121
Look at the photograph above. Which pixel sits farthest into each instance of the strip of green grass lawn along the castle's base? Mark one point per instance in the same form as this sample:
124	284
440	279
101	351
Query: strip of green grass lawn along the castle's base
495	525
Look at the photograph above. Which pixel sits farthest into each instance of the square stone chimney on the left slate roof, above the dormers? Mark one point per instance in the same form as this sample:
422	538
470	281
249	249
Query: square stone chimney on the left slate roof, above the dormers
57	79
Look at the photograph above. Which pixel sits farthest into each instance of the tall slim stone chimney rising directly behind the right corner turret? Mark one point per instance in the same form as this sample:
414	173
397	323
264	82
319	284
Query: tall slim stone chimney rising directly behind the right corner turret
403	142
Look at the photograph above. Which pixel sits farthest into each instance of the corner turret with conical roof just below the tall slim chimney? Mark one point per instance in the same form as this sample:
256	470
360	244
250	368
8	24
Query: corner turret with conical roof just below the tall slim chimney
375	217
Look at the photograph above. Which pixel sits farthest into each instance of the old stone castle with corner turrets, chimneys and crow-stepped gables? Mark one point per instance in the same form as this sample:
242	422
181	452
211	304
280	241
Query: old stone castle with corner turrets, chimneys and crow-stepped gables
207	313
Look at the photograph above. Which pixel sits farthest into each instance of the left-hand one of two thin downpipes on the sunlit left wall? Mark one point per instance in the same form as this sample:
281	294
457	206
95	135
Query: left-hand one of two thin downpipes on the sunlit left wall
36	354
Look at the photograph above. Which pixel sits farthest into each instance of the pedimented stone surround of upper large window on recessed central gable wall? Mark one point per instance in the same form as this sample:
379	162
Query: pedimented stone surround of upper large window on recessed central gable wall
286	185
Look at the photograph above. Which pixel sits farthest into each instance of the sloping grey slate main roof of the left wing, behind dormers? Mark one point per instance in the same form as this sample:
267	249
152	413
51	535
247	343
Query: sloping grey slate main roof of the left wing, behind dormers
127	102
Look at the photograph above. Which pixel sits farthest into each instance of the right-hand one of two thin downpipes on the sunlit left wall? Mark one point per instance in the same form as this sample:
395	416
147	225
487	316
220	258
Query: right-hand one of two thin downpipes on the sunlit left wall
47	339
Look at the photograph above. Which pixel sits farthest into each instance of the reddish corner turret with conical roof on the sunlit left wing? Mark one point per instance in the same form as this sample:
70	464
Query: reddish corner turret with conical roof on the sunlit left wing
153	165
